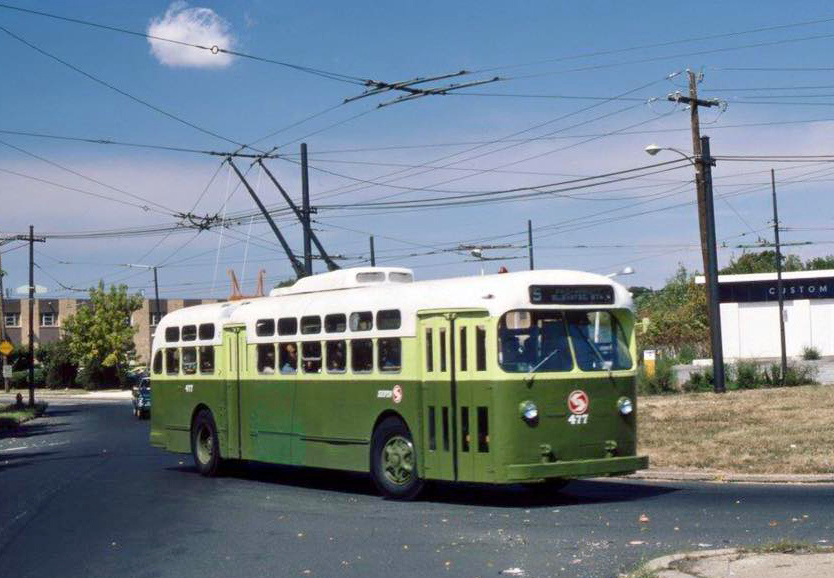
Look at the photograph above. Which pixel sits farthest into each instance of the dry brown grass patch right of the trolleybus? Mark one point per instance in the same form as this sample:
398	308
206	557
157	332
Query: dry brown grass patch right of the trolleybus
767	431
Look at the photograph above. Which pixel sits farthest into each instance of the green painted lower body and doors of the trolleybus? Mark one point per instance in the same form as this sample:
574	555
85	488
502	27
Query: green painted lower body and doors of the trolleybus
326	420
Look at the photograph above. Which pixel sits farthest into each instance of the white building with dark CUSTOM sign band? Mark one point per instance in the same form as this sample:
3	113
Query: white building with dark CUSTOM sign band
750	313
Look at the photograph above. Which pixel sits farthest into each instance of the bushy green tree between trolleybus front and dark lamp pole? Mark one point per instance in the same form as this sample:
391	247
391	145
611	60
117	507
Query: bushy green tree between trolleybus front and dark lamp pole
678	316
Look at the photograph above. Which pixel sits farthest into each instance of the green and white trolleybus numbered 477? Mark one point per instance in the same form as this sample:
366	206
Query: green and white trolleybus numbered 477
523	377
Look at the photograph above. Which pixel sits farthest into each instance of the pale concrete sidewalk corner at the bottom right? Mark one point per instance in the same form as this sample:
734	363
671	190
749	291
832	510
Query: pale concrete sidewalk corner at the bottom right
740	564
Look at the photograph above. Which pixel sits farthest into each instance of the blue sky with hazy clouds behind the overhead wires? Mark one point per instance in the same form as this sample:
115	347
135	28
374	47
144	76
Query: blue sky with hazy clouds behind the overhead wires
581	90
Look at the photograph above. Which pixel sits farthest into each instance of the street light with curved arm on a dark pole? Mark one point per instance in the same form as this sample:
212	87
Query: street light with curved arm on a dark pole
703	164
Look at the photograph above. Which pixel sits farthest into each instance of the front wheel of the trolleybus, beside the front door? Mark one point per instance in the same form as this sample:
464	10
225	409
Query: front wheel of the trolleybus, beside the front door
394	461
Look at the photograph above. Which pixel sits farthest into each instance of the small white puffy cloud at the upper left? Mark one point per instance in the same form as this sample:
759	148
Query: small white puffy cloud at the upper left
201	26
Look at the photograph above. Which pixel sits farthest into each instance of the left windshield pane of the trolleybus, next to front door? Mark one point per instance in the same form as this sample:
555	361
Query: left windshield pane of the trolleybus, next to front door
533	341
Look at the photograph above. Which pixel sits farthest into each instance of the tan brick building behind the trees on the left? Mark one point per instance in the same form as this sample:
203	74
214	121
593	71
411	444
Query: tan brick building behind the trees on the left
50	315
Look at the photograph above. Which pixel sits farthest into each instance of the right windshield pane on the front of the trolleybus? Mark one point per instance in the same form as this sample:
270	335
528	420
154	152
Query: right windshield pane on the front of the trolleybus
598	341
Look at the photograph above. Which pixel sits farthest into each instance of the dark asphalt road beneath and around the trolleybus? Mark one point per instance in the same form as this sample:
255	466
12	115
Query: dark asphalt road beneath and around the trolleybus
83	494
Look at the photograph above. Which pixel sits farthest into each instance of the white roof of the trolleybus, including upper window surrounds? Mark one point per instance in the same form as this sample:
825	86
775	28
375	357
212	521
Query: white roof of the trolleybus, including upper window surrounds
339	292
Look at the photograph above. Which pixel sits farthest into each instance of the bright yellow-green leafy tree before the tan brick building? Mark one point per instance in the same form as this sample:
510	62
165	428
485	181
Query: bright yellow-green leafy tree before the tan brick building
100	336
